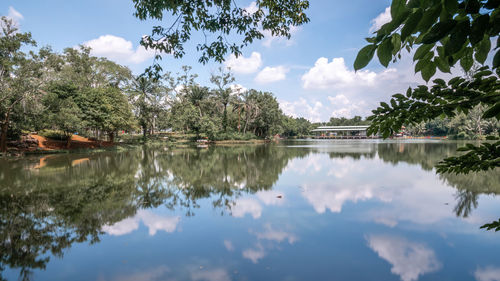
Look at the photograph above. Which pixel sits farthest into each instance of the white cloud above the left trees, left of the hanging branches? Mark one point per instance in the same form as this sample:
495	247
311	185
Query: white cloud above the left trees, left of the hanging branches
118	49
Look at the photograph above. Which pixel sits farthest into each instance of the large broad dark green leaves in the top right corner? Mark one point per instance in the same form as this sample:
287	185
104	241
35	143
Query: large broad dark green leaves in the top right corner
444	33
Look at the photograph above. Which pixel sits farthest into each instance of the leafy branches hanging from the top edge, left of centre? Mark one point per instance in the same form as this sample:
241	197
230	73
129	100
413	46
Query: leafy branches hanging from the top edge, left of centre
218	18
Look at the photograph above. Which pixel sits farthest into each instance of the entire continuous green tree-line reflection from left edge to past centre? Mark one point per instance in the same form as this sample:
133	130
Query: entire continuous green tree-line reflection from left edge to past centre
50	203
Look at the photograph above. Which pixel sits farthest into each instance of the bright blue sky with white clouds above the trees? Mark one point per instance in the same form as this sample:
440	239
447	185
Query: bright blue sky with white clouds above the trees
311	75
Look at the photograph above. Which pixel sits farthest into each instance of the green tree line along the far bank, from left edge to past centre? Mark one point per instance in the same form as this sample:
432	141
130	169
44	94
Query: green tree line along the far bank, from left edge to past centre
75	92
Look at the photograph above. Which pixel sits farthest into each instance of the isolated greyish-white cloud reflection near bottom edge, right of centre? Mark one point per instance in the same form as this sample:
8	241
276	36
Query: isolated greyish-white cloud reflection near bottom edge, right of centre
409	260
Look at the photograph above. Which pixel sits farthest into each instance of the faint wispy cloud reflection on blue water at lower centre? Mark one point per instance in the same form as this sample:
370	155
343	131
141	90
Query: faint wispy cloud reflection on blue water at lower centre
271	235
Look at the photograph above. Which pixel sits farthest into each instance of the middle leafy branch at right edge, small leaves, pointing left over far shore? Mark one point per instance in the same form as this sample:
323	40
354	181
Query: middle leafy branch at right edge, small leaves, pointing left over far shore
443	99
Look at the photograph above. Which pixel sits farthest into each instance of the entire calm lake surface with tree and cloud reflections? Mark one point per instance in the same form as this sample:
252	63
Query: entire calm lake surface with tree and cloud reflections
303	210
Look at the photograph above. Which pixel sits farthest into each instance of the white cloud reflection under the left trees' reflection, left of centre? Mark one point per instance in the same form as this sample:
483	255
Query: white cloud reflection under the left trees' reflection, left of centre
153	222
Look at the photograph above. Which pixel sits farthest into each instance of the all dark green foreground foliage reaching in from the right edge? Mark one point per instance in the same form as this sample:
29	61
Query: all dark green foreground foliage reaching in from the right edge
446	32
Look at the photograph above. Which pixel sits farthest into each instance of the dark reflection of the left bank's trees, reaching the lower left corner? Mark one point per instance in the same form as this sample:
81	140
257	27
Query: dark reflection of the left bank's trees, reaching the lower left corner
43	211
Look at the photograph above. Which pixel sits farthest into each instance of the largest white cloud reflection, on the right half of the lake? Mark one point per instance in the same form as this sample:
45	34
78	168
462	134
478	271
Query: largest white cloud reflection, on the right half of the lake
411	194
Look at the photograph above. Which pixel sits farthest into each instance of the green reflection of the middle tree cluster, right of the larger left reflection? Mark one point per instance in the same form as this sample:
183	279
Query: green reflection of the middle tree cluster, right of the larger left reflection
222	173
